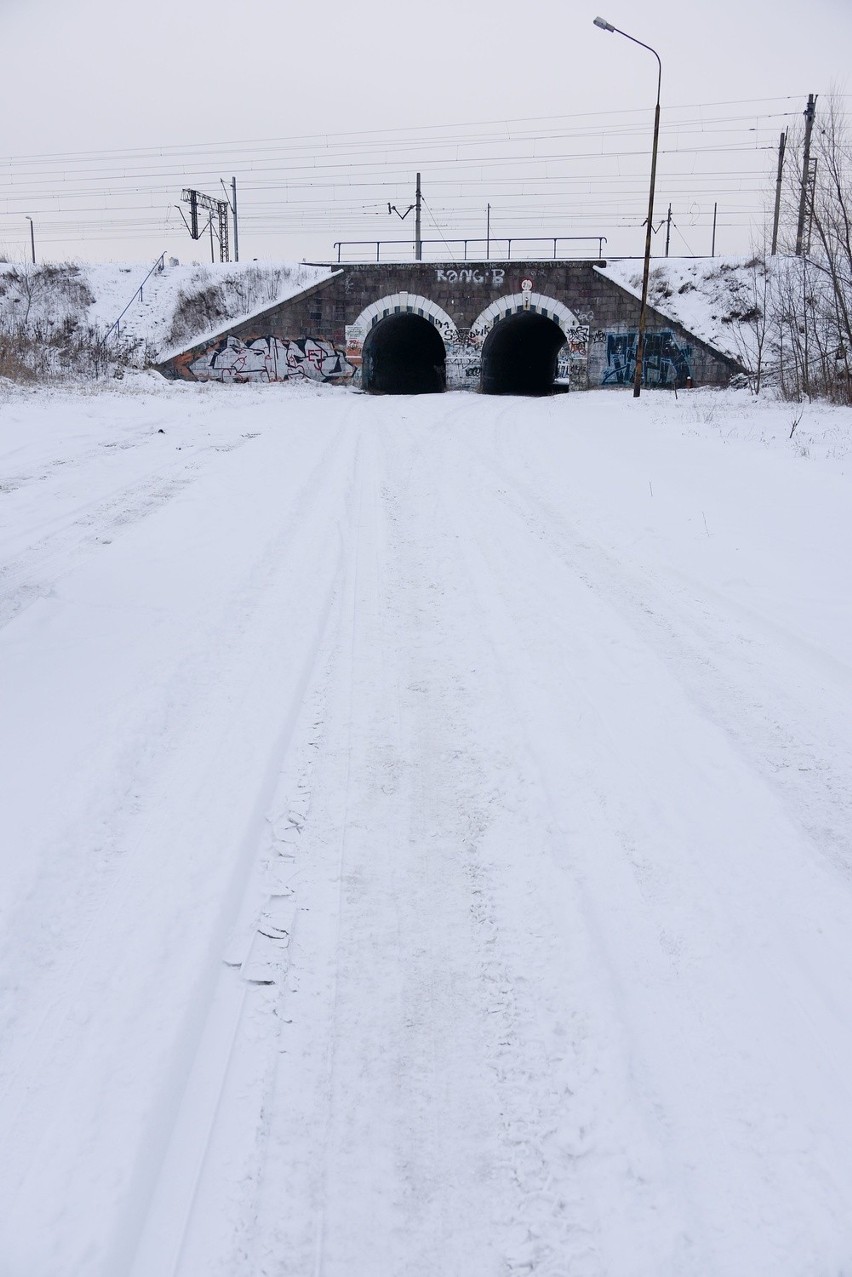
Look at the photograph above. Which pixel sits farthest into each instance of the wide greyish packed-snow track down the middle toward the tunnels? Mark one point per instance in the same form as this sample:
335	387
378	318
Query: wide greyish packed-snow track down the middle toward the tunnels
383	1144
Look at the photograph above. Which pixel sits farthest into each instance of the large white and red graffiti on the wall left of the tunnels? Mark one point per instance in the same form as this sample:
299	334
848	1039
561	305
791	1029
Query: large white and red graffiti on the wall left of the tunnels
271	359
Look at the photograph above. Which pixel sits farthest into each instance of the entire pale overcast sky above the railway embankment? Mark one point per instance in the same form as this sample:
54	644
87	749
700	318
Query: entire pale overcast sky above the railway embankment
96	77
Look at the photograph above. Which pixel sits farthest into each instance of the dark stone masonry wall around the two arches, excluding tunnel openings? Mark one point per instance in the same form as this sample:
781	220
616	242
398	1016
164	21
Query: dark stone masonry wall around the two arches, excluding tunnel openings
320	334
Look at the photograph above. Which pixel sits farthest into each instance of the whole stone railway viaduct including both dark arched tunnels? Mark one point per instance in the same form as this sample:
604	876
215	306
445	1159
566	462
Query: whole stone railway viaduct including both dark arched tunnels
500	328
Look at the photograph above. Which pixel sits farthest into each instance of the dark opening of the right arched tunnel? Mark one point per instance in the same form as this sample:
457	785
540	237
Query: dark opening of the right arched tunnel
521	354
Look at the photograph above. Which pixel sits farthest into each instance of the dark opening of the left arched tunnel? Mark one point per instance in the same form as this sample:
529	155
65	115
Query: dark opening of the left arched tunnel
404	354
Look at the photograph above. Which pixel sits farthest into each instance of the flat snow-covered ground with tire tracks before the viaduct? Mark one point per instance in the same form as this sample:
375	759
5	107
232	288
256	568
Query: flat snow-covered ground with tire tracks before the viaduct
427	840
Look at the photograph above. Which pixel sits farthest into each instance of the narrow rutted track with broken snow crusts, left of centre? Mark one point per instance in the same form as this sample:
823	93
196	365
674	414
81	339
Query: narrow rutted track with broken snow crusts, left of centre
204	1213
